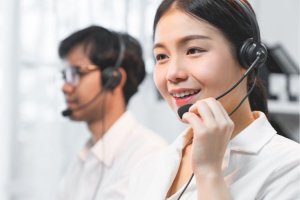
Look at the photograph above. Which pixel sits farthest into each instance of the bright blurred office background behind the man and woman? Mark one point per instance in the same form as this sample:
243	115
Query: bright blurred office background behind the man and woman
37	143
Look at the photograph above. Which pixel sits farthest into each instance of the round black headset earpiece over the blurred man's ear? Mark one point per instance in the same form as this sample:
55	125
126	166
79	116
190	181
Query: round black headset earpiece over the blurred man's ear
111	78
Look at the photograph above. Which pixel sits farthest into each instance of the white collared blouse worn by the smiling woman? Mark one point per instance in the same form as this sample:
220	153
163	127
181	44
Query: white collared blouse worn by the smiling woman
258	164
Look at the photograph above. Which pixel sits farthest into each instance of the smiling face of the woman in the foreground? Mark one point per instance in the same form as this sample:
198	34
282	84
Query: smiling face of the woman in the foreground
194	61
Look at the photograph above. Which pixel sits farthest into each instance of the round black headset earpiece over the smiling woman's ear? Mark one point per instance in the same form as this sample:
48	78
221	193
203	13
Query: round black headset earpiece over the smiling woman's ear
250	51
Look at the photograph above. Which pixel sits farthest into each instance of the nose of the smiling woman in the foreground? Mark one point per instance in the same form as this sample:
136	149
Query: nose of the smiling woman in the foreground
176	71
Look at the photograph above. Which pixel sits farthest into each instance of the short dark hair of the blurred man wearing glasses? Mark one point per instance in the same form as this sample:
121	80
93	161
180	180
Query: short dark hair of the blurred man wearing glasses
103	47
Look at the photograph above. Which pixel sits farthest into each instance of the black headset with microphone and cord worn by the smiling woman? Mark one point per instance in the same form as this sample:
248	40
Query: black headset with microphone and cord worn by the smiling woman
252	55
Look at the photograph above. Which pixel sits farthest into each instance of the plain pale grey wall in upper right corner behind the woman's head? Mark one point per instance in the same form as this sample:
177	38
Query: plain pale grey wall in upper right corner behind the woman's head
279	22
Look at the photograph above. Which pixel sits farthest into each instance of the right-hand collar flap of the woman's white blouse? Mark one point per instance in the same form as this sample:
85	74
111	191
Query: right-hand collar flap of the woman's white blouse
253	138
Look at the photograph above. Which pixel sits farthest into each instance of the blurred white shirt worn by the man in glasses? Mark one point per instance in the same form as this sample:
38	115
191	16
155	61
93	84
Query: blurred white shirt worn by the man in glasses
101	171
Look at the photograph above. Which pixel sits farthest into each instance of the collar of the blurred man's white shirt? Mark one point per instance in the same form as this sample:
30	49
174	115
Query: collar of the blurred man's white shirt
106	149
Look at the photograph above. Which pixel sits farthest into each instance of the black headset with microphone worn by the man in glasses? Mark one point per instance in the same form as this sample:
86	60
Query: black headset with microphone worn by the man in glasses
110	77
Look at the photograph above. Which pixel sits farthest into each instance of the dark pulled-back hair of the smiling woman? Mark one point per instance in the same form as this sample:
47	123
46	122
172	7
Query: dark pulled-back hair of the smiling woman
226	16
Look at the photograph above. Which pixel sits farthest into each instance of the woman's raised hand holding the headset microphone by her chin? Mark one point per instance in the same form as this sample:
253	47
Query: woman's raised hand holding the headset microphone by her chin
212	129
